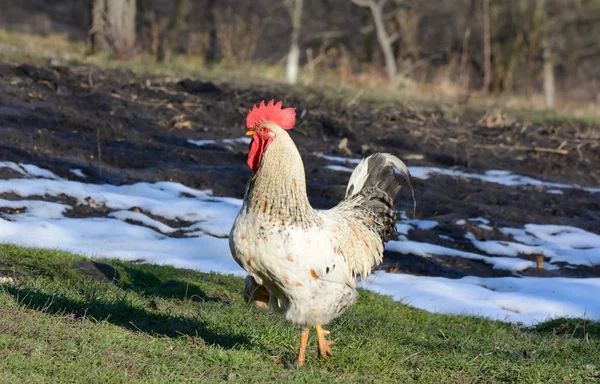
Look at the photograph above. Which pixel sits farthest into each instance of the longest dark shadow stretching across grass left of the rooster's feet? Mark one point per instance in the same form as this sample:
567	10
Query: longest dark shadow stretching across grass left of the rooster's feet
122	313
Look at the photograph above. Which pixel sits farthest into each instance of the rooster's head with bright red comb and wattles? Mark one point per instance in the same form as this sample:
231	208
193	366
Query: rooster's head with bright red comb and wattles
260	121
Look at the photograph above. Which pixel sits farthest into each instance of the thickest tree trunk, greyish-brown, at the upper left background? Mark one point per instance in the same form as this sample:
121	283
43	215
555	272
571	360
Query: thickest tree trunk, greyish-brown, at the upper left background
113	27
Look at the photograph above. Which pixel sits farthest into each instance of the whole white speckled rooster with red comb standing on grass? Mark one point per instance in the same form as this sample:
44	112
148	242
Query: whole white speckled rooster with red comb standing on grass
309	260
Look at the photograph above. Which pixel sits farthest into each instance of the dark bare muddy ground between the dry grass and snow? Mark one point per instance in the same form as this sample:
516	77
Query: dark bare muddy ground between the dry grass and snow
119	127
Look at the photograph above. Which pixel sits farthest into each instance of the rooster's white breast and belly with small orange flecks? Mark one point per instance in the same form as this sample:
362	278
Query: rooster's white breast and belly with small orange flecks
299	266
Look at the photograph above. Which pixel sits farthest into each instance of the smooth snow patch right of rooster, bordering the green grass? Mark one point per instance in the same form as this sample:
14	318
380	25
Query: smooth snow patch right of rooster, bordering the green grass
526	300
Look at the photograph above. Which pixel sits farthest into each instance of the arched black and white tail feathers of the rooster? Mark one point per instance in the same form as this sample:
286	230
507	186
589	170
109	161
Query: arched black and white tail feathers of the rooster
374	179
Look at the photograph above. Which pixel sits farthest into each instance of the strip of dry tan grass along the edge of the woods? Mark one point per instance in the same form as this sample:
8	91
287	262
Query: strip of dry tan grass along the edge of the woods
327	73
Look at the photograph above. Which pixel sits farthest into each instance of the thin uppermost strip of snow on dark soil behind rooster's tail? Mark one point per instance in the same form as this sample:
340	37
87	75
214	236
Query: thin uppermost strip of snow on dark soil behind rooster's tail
501	177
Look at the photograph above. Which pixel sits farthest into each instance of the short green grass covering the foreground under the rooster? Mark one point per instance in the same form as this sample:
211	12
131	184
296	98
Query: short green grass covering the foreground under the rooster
58	326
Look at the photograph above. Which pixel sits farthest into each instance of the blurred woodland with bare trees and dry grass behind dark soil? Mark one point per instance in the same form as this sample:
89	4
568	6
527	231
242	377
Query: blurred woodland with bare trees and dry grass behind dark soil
539	53
